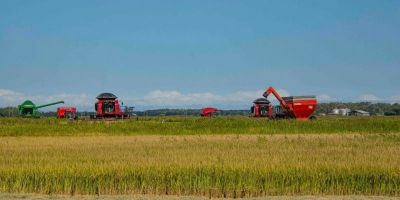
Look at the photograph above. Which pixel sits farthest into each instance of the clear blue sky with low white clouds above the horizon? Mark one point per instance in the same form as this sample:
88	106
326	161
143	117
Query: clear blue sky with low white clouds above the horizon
196	53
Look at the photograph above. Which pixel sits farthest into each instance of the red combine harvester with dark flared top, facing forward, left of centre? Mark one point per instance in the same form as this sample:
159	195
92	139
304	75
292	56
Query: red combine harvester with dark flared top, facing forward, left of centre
107	106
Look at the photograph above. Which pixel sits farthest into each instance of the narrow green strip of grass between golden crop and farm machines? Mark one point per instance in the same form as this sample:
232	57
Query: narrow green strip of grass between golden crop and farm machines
196	125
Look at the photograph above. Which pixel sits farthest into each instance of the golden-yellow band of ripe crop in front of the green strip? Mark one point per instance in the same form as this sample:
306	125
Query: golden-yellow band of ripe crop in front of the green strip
213	166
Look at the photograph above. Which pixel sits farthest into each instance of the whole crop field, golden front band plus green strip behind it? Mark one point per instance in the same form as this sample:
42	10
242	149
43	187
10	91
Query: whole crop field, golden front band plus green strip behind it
218	157
